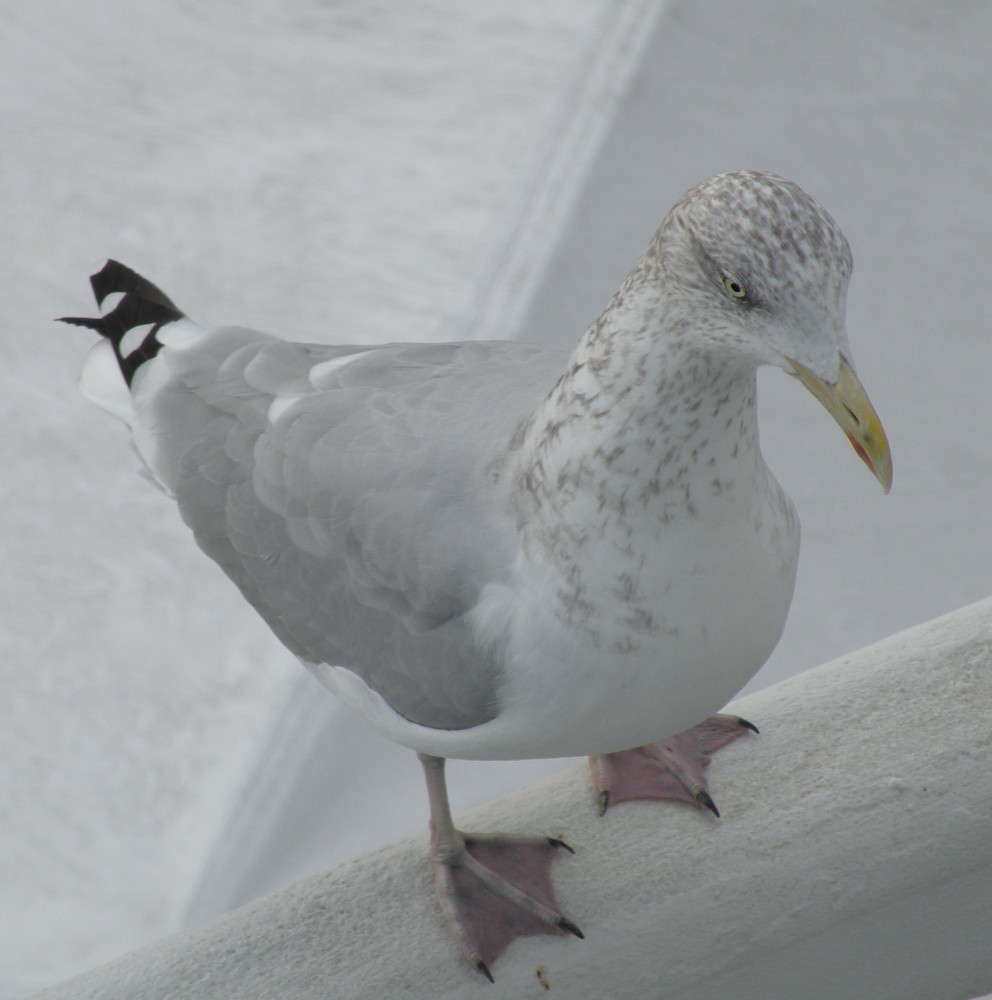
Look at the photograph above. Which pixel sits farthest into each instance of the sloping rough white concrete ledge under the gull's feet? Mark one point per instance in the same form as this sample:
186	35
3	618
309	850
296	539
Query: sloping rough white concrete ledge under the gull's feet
854	859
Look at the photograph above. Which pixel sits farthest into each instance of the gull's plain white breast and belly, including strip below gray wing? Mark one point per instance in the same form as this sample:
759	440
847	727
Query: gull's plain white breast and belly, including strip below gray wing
646	662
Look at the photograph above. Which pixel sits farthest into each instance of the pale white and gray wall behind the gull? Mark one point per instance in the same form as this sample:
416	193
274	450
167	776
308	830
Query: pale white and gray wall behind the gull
365	171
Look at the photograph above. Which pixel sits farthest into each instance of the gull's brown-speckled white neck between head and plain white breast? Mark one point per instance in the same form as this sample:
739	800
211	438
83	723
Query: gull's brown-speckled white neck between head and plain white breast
646	425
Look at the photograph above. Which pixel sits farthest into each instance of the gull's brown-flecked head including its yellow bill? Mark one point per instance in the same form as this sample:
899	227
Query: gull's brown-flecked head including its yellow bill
757	269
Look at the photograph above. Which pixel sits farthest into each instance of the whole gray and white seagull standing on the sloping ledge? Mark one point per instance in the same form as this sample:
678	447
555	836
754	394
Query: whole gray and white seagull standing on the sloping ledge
493	550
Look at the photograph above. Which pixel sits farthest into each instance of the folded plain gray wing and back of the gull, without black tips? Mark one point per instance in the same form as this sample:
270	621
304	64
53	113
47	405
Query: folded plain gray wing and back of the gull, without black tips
361	522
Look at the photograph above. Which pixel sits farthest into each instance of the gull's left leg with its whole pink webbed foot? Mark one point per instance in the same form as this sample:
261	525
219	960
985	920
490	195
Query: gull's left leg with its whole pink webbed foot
491	888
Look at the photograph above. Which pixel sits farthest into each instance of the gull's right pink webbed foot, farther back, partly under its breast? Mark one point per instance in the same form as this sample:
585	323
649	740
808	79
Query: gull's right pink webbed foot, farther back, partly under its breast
669	769
